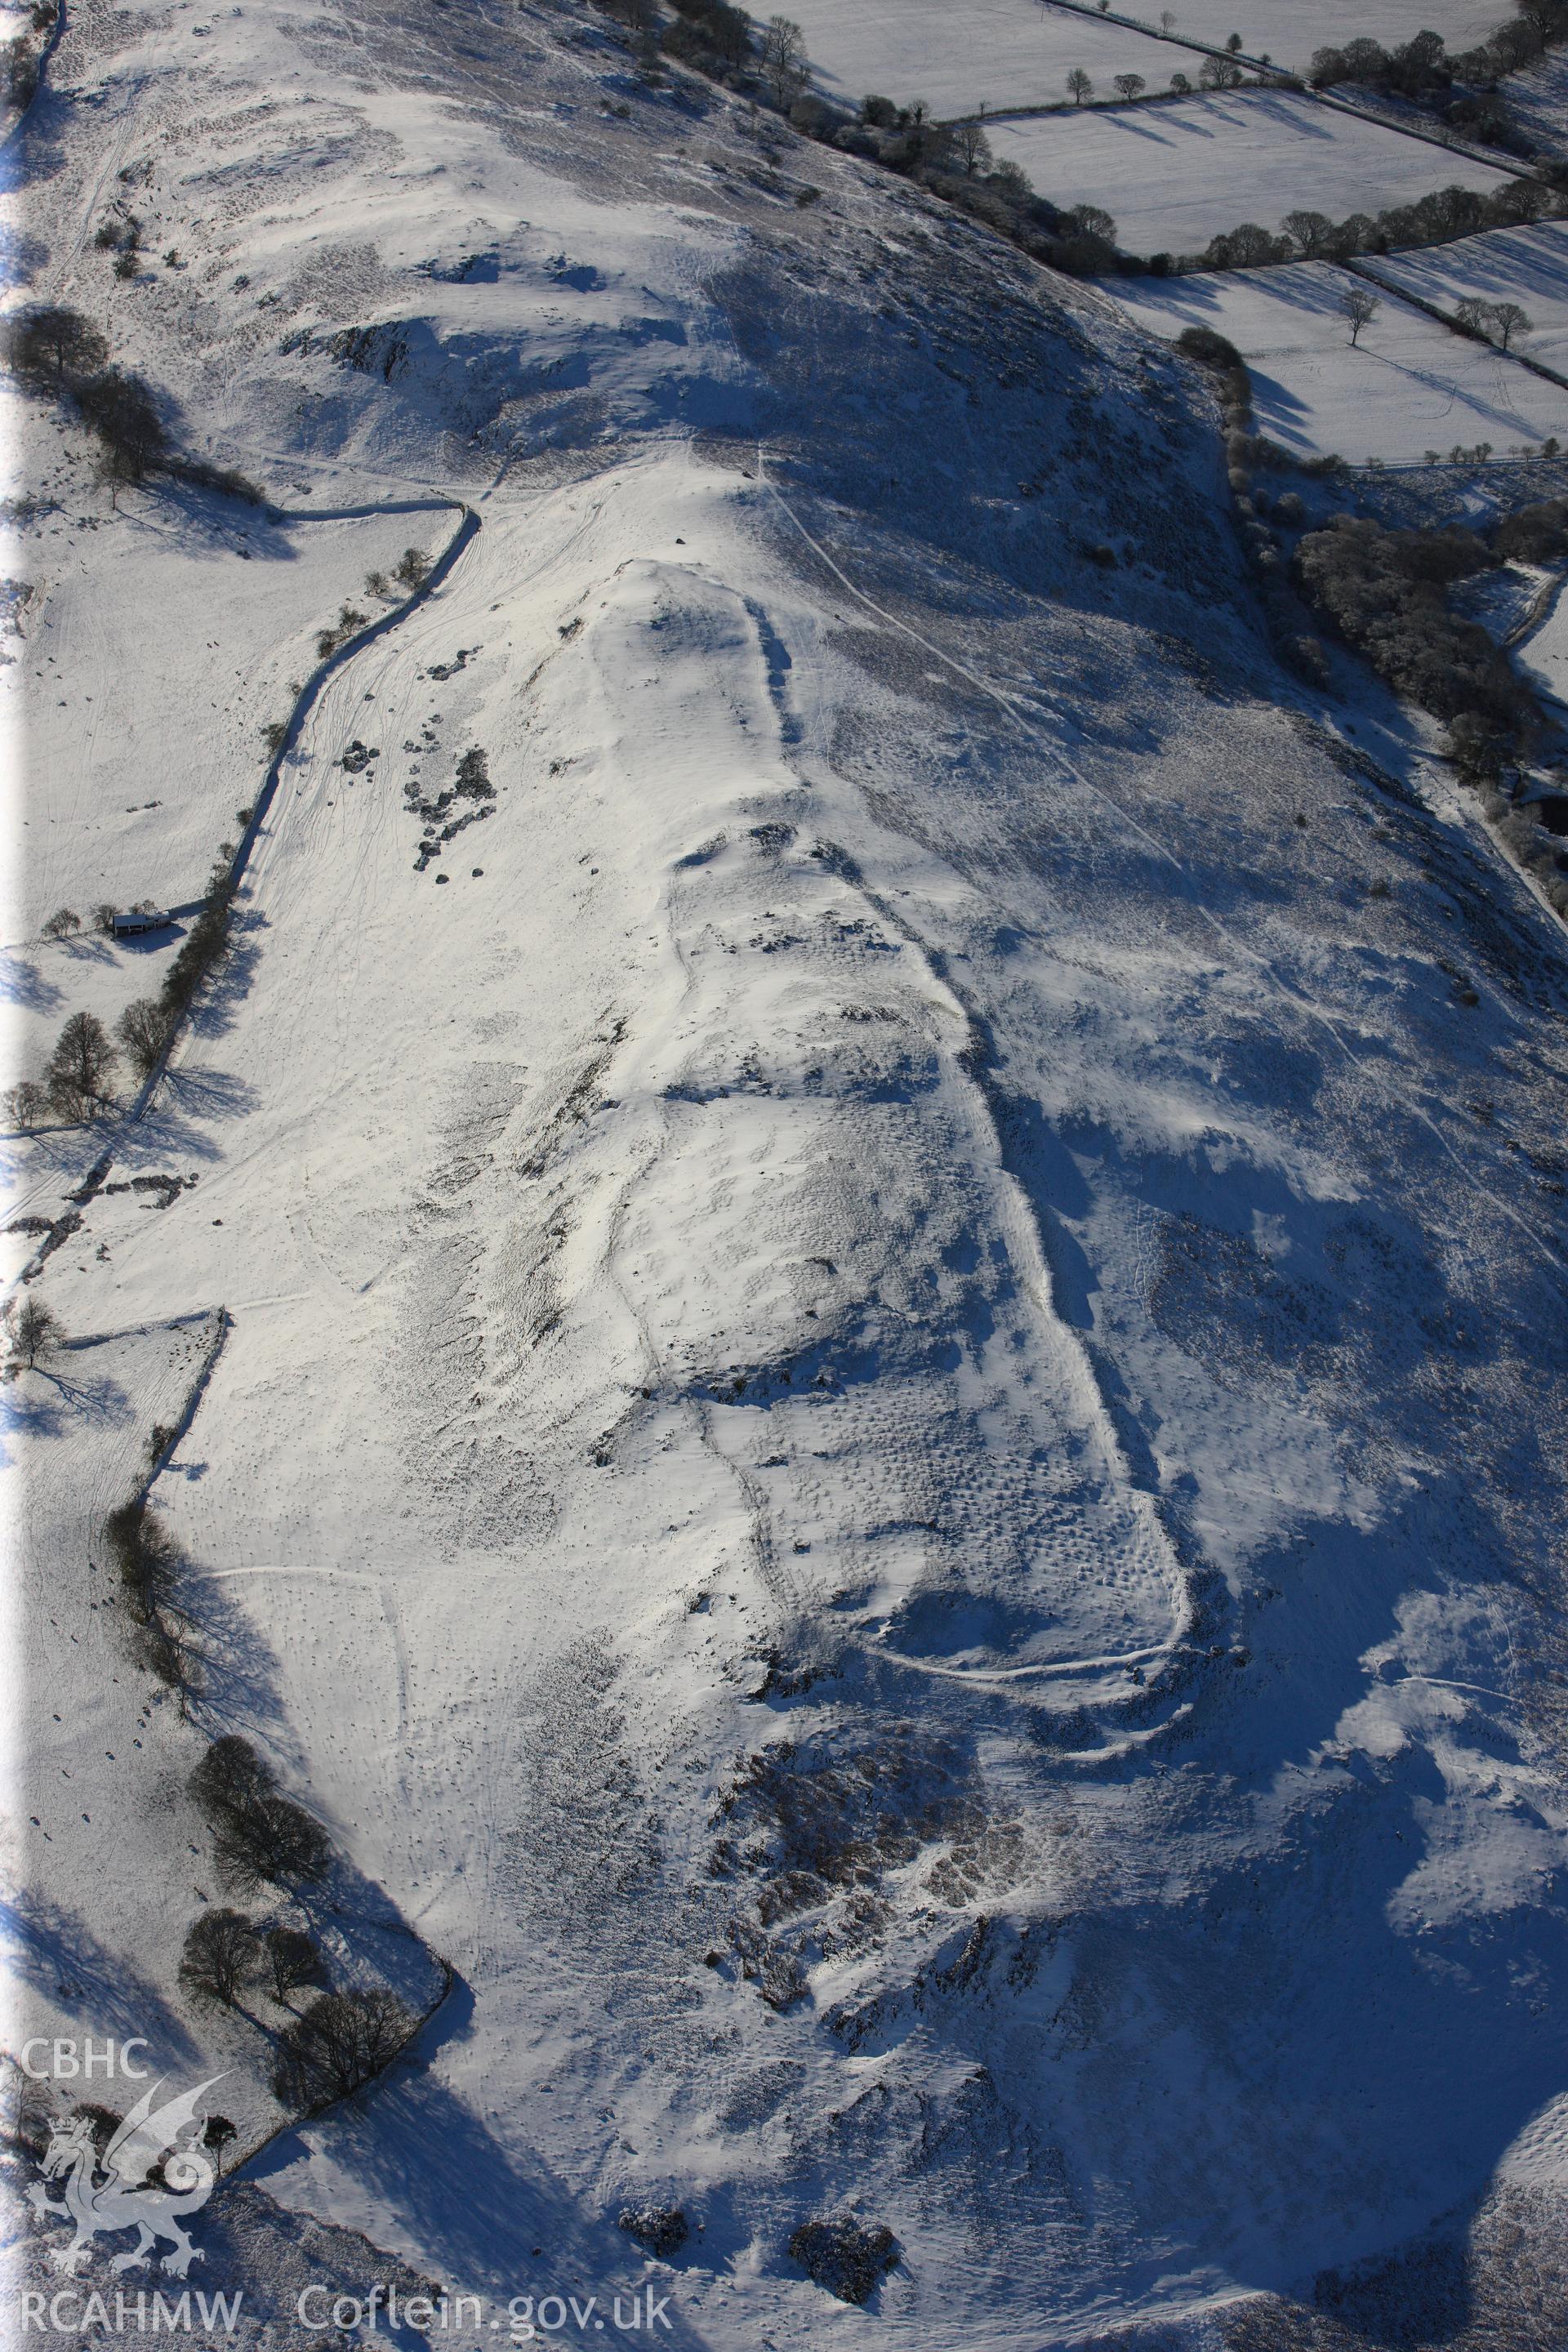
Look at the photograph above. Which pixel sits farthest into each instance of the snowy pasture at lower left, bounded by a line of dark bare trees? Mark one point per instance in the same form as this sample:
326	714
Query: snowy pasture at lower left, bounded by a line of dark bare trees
105	1753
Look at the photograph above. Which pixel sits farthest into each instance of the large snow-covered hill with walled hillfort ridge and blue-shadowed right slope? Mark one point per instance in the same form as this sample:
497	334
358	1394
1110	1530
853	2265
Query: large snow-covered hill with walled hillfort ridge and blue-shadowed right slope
887	1445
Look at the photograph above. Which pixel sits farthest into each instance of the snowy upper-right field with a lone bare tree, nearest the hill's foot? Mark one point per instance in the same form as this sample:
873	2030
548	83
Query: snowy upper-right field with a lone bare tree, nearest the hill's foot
1407	387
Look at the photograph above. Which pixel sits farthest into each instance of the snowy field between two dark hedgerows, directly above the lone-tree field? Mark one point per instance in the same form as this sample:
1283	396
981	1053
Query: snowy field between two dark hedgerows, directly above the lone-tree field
1177	175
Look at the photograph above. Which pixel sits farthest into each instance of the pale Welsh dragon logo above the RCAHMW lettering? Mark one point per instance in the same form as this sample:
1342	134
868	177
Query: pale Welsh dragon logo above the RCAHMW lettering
121	2200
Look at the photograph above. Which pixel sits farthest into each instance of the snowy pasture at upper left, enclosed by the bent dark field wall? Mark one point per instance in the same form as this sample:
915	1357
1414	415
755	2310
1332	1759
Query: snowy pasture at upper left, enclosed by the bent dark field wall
156	646
